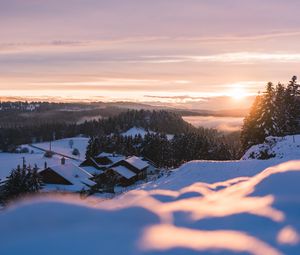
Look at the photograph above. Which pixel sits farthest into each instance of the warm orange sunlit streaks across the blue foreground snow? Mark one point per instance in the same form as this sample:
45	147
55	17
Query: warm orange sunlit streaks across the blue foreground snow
201	201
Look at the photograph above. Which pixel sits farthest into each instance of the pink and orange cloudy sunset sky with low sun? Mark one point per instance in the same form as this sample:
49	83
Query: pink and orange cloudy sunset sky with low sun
207	54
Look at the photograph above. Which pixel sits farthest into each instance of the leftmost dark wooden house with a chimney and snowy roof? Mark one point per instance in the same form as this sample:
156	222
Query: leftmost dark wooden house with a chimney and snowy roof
67	177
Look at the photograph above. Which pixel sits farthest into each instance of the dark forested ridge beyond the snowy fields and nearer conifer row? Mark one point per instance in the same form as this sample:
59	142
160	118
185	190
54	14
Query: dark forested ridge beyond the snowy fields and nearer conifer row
161	121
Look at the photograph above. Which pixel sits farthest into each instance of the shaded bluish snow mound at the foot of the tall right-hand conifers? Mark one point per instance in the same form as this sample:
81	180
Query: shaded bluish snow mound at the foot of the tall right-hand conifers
287	147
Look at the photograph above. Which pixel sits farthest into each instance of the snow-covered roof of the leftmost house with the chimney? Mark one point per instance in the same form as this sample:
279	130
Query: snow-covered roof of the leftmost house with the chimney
74	174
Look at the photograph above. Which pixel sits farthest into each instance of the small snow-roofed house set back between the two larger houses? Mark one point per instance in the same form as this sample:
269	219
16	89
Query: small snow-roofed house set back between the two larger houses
96	165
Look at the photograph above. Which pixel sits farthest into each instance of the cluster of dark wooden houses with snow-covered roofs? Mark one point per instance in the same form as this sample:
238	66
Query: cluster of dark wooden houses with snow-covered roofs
106	169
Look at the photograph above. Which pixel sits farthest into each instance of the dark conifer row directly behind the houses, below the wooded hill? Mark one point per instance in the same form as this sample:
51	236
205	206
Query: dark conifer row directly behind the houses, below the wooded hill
164	151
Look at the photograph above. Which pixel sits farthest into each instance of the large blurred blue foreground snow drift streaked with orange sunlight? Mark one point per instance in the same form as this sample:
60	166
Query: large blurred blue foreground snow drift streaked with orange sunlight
245	215
